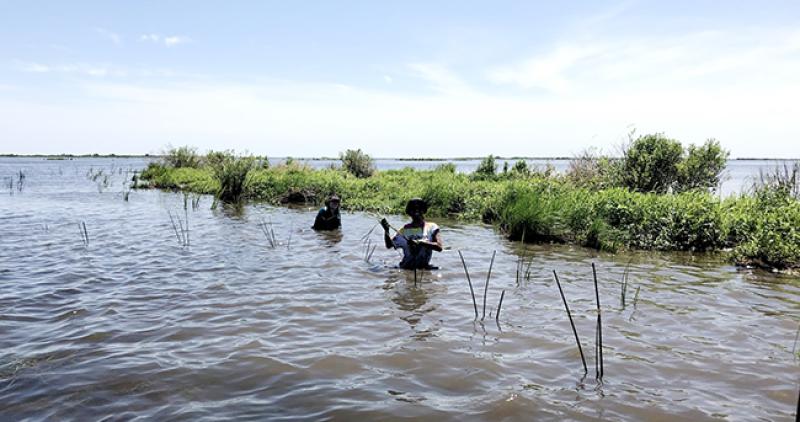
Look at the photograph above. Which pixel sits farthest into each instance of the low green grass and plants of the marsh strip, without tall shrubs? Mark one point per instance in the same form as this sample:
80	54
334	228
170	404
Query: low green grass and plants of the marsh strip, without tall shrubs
759	229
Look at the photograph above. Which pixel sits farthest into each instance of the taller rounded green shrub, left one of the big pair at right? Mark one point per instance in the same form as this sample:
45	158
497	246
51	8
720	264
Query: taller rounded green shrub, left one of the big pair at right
650	163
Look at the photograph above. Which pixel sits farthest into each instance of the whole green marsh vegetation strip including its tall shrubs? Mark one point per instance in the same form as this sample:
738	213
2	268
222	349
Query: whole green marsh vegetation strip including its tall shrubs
670	208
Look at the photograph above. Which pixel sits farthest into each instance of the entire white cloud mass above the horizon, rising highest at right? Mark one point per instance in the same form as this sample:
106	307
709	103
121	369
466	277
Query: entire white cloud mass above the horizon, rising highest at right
739	87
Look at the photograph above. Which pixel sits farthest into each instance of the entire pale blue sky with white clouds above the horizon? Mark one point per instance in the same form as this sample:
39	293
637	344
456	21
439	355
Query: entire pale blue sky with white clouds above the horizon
397	79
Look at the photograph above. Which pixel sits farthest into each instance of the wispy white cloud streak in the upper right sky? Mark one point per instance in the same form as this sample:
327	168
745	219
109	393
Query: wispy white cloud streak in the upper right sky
706	61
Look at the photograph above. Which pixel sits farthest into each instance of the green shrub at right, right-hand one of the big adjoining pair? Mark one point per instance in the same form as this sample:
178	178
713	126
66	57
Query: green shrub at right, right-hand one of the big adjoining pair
702	167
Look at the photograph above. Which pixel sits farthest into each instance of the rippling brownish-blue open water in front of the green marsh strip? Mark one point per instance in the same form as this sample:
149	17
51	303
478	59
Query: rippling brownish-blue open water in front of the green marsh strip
134	325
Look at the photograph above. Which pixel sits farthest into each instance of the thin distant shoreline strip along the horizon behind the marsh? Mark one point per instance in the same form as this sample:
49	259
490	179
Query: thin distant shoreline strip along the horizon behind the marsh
73	156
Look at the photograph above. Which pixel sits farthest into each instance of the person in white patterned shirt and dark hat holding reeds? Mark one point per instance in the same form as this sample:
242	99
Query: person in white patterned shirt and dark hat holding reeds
418	239
